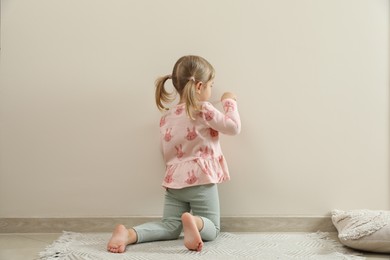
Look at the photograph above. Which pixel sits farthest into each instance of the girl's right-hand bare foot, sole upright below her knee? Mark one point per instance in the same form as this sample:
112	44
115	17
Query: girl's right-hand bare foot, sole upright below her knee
192	239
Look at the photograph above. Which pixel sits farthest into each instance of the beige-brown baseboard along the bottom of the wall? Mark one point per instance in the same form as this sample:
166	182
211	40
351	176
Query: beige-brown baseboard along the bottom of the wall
228	224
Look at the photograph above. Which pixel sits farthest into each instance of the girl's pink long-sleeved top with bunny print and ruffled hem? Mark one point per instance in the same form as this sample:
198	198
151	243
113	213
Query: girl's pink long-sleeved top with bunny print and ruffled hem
191	148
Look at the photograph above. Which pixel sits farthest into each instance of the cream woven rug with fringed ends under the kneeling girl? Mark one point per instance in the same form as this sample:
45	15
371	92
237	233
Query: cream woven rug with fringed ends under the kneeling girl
92	246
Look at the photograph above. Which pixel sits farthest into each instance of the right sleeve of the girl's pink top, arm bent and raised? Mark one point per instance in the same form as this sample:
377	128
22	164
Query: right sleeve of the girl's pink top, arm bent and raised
228	122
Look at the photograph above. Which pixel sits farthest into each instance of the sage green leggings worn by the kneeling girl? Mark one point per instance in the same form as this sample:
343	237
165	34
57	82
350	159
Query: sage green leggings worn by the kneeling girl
202	200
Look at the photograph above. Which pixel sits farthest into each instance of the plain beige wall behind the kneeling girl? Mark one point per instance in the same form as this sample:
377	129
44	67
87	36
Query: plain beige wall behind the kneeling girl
79	128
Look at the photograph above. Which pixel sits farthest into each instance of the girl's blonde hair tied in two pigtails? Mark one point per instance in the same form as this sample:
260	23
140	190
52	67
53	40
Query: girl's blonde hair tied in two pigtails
188	71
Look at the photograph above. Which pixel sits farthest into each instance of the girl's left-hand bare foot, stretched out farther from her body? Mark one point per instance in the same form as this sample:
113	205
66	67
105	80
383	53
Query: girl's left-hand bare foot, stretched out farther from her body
121	237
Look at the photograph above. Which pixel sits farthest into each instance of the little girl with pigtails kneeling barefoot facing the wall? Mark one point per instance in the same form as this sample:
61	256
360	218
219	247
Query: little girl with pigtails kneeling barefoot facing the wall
194	160
